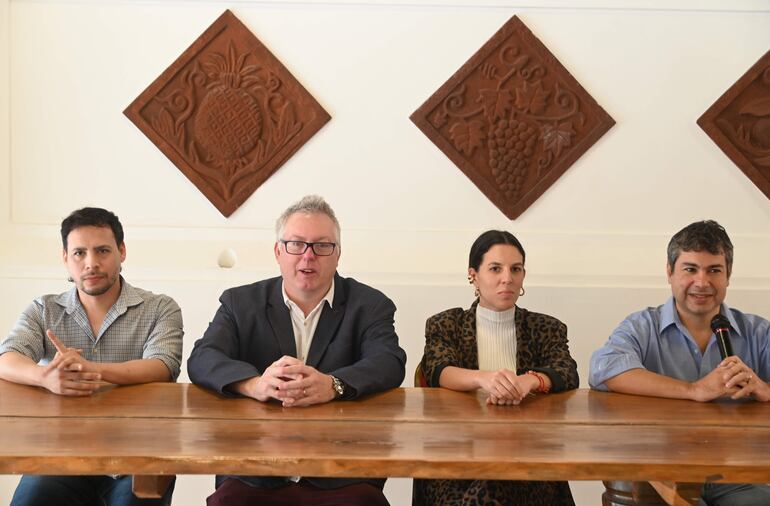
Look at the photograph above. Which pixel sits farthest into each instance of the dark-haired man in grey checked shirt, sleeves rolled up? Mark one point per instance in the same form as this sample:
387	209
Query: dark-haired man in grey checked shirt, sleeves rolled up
103	330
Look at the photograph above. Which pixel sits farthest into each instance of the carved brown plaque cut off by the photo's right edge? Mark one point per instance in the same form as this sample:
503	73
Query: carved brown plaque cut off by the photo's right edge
739	123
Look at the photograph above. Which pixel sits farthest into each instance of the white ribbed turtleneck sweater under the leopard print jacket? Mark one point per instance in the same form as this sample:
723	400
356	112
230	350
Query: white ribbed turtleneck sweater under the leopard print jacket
496	339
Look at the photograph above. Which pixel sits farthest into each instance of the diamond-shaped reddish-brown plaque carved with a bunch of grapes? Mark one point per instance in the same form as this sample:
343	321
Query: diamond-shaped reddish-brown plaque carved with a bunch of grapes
512	118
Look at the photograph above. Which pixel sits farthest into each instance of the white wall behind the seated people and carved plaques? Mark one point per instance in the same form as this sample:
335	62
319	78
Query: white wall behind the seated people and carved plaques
595	240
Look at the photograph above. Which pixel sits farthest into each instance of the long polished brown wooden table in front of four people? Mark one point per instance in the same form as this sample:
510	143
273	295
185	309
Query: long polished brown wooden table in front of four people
166	429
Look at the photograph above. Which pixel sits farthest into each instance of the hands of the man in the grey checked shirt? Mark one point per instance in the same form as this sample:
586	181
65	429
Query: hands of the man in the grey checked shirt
69	373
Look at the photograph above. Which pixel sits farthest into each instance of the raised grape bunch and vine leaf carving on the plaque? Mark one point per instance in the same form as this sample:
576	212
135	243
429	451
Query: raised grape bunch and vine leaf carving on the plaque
521	122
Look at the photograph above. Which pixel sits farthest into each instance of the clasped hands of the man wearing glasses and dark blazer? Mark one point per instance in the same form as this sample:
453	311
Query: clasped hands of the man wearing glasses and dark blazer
292	382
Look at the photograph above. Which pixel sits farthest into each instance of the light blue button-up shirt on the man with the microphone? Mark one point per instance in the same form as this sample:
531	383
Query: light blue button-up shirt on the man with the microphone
656	339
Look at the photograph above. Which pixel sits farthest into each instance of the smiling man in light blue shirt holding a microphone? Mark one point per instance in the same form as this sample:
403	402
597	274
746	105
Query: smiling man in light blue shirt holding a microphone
671	351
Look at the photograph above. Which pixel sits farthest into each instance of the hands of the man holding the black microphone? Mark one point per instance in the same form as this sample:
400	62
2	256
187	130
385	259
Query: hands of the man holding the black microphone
731	378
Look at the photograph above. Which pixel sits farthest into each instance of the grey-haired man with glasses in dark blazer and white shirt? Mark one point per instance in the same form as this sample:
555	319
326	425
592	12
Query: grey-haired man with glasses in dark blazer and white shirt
307	337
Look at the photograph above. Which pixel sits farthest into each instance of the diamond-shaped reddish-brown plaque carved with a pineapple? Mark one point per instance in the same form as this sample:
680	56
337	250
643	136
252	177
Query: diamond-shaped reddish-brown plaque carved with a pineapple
227	113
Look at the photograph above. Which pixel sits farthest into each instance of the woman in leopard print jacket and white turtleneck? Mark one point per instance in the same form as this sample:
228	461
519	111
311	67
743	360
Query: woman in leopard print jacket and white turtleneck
504	350
